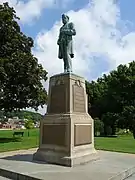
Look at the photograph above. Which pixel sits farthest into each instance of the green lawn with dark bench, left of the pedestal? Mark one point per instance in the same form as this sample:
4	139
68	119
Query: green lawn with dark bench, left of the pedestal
9	143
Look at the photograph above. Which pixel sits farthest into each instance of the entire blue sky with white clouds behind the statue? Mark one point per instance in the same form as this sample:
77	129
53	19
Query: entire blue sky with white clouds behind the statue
105	33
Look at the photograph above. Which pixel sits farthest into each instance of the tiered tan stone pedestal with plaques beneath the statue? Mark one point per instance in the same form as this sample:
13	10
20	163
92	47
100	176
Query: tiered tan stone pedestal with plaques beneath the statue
66	132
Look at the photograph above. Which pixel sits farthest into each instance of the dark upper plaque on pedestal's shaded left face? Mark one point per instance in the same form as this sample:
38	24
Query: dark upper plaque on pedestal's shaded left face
58	99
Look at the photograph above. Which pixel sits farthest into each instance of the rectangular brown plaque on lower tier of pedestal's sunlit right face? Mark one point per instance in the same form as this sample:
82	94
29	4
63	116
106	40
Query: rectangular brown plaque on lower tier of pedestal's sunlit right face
82	134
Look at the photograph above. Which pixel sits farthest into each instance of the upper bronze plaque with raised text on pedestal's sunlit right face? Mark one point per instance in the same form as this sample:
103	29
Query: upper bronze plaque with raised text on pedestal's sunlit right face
78	99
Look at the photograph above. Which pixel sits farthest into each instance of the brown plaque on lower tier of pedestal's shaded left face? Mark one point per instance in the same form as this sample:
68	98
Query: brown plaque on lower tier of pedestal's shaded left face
54	134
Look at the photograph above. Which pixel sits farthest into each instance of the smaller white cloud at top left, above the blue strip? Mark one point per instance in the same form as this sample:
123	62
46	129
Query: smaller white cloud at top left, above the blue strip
32	9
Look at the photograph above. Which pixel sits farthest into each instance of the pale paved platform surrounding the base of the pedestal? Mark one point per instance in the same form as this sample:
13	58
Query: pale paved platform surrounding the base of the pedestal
110	164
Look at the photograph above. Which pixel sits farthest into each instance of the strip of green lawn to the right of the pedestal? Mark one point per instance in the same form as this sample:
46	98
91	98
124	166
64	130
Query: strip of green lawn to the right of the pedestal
124	143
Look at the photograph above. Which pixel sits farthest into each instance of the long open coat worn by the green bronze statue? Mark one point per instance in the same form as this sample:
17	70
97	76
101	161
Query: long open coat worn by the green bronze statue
65	41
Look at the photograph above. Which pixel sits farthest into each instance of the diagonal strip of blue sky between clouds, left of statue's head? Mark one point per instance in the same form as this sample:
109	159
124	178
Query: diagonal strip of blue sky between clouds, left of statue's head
49	16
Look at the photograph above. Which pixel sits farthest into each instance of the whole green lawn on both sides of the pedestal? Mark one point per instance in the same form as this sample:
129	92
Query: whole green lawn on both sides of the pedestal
123	143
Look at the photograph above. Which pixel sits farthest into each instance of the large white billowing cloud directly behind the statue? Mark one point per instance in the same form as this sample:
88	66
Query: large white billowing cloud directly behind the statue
103	41
